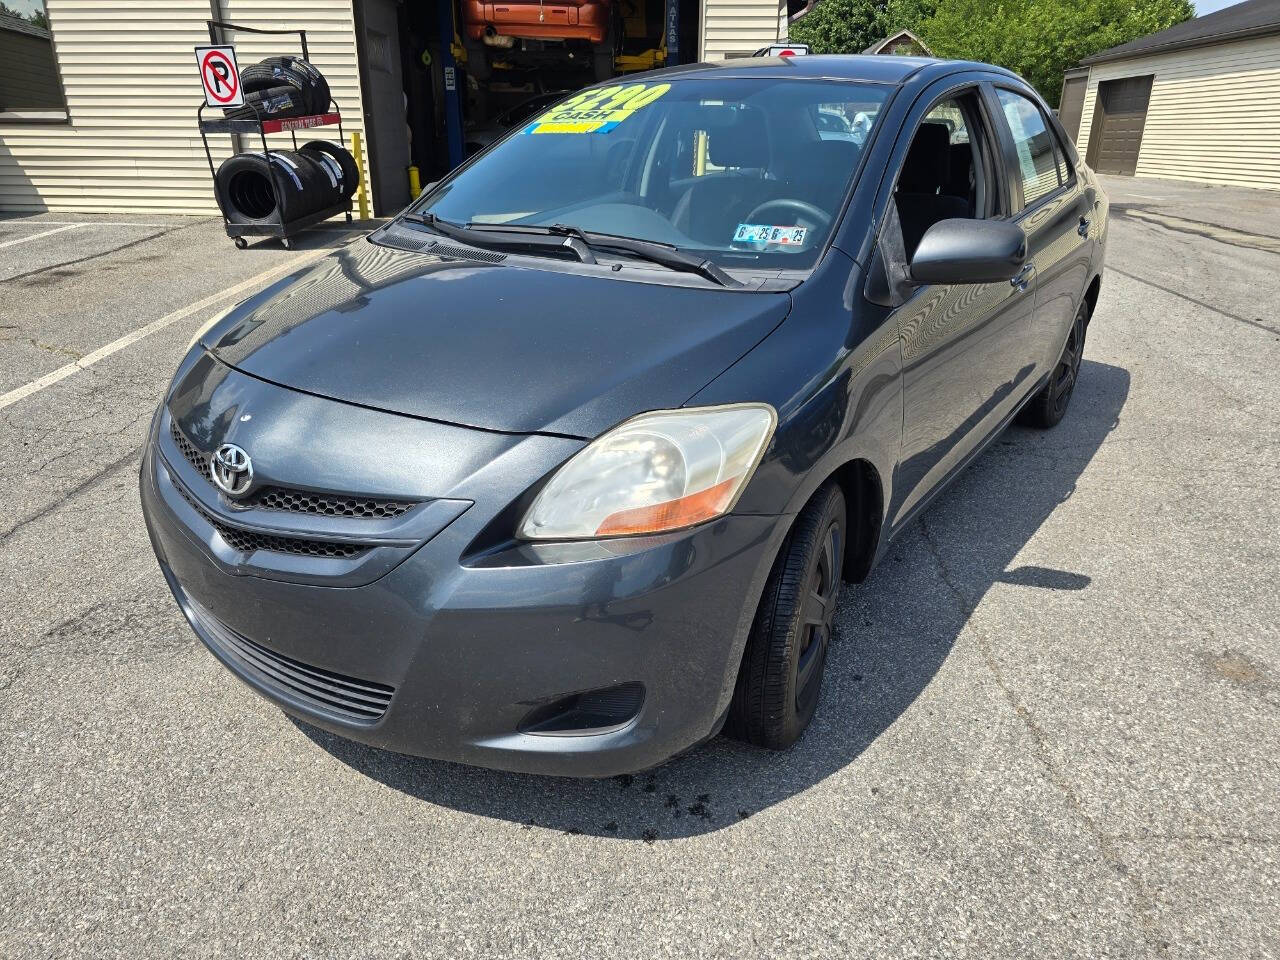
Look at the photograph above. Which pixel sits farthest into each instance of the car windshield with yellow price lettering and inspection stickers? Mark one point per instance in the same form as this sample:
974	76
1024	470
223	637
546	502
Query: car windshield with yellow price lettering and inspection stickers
748	173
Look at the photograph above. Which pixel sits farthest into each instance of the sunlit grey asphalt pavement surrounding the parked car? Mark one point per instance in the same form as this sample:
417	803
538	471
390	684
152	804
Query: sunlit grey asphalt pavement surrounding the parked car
1052	725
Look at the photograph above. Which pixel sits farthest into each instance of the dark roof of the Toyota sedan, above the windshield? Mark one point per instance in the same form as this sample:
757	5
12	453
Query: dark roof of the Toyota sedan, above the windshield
871	70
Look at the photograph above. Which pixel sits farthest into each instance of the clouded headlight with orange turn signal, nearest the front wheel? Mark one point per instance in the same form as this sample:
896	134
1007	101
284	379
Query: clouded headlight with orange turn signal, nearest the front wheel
659	472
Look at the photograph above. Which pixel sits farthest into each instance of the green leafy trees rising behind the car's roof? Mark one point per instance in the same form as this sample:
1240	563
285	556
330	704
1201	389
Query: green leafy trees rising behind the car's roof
1036	39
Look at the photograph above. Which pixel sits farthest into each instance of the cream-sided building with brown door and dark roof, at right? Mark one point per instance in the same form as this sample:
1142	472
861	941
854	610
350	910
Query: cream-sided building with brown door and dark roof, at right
1197	102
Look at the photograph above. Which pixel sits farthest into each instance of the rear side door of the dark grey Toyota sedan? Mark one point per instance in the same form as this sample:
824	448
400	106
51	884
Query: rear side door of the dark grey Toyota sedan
1055	214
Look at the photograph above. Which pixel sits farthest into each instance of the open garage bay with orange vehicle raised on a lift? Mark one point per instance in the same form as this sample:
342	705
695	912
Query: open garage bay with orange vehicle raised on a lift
445	80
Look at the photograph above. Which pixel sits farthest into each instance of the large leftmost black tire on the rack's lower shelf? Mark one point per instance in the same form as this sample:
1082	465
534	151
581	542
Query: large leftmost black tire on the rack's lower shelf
244	185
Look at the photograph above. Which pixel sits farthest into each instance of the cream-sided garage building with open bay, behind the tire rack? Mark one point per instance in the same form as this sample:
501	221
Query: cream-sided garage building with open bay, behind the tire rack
98	98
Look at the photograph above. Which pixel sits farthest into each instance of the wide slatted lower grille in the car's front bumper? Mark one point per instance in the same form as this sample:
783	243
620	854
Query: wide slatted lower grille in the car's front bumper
350	698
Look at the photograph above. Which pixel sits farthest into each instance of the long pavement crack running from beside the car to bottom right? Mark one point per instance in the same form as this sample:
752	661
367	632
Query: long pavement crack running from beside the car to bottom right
1144	900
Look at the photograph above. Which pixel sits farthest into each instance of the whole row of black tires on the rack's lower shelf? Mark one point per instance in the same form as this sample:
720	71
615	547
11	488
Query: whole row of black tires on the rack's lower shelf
307	181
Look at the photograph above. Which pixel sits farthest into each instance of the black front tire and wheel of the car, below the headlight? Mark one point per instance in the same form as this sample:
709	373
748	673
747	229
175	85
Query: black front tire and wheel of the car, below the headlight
780	682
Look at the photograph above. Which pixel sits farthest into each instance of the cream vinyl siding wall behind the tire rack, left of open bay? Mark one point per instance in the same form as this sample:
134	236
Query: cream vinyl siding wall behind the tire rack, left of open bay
129	70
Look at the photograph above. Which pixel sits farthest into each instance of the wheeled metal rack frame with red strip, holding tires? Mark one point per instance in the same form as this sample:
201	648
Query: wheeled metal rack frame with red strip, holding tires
275	226
